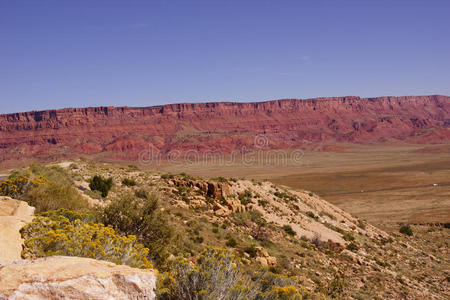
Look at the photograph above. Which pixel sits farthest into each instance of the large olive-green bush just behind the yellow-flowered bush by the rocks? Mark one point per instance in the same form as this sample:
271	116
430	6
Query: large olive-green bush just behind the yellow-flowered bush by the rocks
144	219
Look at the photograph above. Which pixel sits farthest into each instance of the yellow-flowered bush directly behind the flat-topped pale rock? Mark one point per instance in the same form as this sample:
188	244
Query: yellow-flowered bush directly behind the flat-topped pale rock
68	233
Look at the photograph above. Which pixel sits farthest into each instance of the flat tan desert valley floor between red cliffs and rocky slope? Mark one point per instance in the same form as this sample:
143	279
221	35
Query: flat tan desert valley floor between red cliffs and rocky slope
382	184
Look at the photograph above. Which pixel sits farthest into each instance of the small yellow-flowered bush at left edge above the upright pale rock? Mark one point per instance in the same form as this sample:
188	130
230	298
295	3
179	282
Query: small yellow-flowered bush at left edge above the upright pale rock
17	185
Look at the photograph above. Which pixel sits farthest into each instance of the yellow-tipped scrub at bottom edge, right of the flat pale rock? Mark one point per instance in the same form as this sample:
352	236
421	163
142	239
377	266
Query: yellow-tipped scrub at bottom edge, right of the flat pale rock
218	274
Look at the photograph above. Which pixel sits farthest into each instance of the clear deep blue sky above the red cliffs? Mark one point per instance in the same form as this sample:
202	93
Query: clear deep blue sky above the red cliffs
56	54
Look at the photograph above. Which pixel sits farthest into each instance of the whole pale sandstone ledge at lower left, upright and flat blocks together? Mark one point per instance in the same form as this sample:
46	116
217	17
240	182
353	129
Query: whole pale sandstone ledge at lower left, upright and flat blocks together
61	277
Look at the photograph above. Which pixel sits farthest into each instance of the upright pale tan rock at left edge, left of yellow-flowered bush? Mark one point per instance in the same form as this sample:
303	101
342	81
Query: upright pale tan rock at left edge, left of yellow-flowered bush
14	214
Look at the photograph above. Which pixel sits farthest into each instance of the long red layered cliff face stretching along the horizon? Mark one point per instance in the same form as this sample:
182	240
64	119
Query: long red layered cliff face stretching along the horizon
124	132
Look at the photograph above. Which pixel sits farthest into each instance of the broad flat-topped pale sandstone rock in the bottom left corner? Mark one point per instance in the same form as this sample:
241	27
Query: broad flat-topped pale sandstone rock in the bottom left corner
61	277
